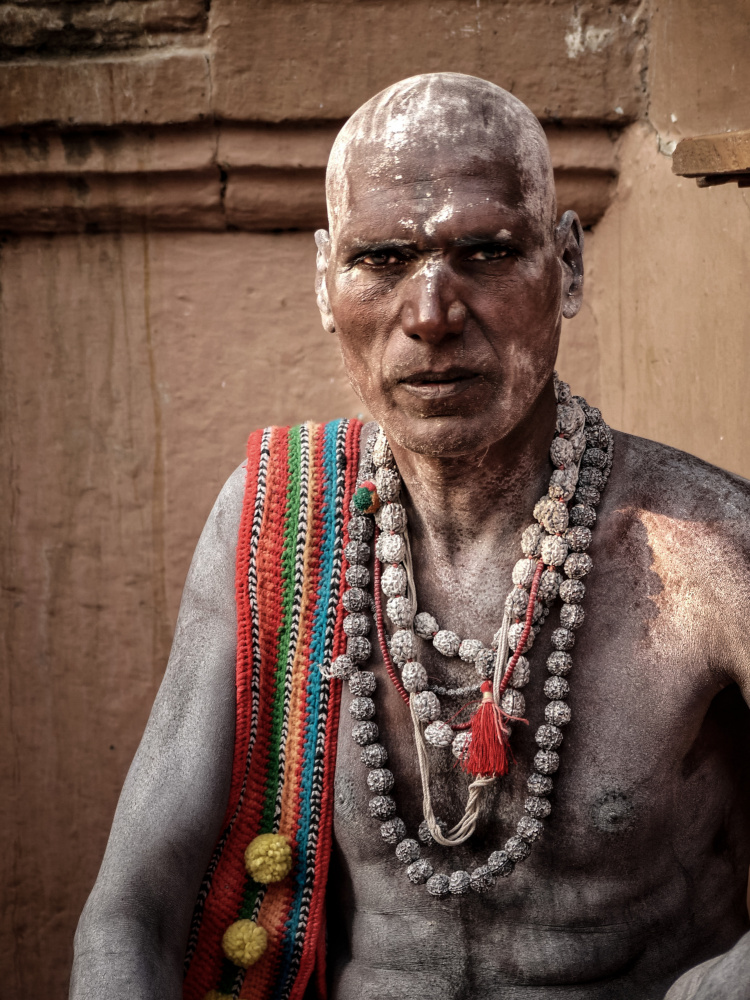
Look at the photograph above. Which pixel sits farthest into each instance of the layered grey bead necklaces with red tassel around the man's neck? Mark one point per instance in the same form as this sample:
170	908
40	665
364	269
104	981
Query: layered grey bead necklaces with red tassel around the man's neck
554	563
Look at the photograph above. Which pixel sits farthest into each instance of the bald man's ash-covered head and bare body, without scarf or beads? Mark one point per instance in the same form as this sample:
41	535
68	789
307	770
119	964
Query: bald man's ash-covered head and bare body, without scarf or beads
446	276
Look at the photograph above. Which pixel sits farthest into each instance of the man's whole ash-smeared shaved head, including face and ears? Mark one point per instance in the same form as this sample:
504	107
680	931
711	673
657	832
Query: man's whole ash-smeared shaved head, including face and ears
441	200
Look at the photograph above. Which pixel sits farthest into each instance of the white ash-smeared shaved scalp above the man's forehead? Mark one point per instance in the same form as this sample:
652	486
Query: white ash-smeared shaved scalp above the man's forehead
441	121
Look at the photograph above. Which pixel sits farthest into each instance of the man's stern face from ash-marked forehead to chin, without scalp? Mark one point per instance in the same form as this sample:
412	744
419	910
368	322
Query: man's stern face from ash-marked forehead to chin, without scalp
445	288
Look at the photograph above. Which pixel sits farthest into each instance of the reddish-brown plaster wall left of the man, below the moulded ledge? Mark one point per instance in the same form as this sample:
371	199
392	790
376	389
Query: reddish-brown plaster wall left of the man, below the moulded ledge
132	369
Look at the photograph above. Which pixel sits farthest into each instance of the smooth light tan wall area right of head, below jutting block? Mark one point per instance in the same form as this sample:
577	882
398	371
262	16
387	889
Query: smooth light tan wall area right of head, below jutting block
665	335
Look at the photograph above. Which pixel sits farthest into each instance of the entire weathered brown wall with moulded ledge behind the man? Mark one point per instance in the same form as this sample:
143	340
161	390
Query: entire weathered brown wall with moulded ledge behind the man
149	318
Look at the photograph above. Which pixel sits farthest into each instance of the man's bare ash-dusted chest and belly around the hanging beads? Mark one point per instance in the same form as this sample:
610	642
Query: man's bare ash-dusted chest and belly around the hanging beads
647	761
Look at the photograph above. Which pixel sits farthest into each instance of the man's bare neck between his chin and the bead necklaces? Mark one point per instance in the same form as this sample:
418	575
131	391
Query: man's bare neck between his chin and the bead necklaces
452	501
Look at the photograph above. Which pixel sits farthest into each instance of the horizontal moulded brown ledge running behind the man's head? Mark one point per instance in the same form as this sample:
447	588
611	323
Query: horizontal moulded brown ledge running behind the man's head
251	177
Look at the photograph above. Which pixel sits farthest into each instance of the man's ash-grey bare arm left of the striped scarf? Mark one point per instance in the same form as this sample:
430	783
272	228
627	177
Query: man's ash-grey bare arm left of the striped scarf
131	937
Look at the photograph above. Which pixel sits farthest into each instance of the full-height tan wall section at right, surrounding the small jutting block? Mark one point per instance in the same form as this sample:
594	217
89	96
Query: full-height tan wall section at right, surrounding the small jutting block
663	343
